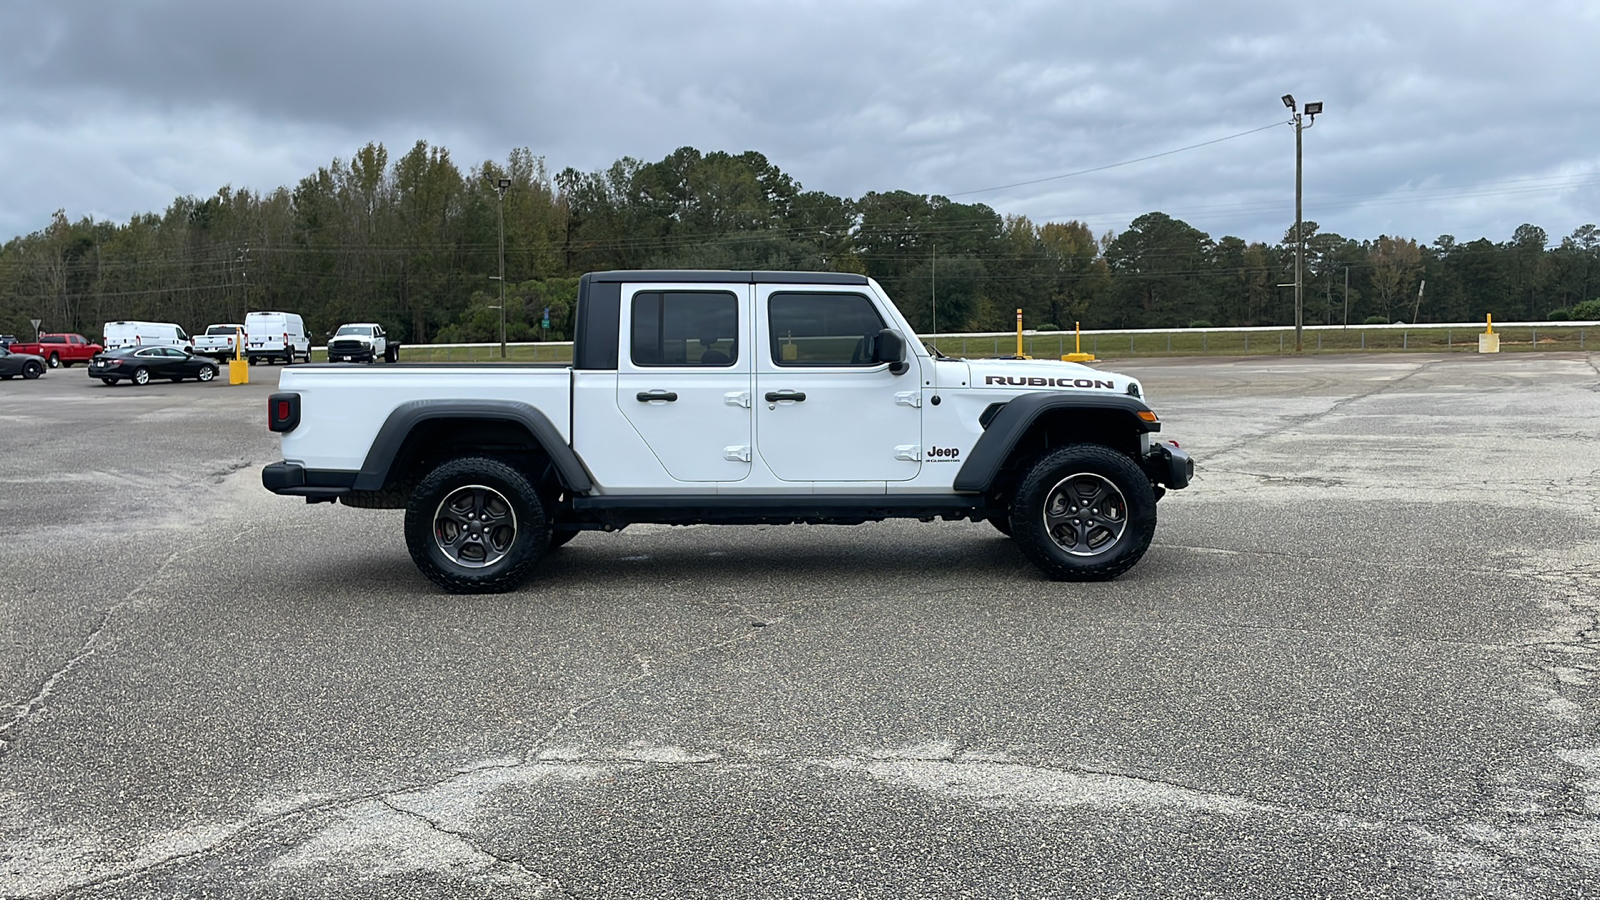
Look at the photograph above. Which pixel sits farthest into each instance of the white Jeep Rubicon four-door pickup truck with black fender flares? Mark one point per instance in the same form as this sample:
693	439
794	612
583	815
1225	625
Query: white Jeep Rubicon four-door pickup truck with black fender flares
729	398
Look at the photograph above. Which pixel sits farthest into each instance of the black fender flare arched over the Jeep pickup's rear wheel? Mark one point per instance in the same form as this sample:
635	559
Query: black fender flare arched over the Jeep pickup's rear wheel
404	420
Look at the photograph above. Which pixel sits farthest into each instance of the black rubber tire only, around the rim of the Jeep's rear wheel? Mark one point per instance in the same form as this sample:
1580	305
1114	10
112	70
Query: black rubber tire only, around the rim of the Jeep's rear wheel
530	526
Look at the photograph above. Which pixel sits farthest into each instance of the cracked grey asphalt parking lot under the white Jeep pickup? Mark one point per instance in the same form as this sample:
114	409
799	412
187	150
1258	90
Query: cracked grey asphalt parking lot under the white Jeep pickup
1361	659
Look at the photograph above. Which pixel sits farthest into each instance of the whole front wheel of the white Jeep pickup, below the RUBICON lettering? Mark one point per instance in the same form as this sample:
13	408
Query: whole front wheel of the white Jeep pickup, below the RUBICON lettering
1084	513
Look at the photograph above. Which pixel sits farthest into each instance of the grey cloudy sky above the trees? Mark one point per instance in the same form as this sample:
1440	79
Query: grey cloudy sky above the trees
1463	118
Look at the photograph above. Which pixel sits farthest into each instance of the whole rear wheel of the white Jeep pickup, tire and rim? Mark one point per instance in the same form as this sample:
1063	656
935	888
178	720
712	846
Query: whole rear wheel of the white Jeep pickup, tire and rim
476	526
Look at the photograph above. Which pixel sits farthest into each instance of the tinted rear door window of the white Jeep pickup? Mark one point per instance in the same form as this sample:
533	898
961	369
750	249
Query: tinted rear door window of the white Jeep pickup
686	329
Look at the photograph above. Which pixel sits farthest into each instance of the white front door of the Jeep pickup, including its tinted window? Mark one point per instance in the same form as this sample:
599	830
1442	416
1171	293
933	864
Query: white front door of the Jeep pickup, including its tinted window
826	412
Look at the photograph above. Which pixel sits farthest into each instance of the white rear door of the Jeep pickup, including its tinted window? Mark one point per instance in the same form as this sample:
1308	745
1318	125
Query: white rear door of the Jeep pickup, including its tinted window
684	377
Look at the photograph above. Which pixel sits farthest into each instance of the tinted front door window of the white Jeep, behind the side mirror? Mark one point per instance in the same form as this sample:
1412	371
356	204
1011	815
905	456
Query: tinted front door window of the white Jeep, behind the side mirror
823	329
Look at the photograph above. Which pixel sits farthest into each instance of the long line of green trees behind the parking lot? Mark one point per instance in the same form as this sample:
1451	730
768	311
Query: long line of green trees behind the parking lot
415	244
